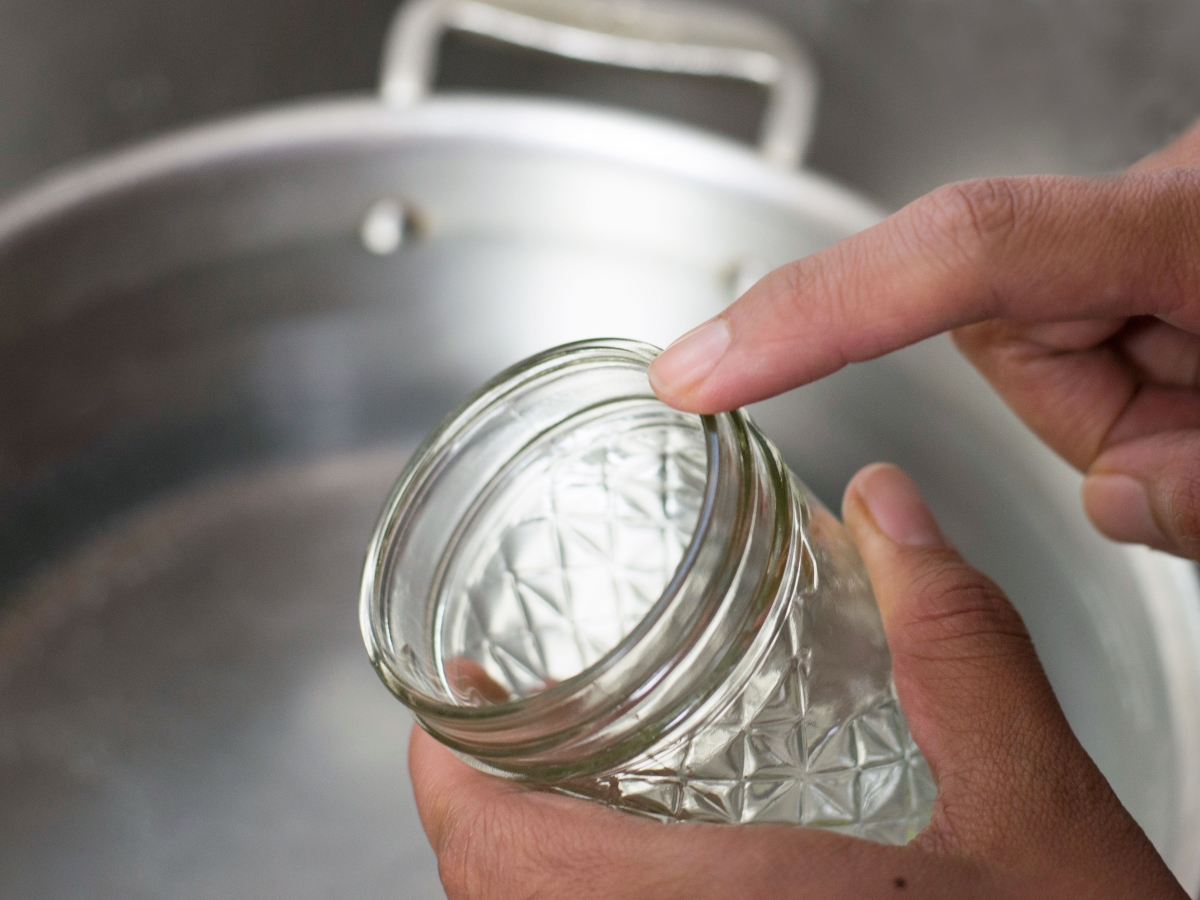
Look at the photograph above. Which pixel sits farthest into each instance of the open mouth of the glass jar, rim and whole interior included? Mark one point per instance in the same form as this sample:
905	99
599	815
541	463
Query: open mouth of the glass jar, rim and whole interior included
536	531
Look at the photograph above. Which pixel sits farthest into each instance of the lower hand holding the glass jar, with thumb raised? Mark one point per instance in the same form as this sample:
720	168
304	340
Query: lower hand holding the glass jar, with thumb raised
1022	811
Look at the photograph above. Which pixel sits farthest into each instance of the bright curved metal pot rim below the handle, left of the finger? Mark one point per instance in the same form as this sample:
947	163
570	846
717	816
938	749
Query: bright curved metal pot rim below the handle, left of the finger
571	129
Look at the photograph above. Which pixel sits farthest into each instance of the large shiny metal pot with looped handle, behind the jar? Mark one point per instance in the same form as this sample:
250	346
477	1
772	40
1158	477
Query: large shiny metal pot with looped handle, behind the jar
217	351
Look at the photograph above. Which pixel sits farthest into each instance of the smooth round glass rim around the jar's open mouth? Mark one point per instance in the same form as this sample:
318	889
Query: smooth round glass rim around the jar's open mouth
375	598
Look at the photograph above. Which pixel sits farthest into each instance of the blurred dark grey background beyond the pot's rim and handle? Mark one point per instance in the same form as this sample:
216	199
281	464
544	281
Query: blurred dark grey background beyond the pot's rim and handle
915	93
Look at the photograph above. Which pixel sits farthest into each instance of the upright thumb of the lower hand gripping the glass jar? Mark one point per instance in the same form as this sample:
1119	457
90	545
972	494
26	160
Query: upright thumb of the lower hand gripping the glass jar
1015	784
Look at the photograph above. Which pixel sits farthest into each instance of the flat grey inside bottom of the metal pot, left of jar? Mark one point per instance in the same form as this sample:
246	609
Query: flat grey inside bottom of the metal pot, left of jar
185	710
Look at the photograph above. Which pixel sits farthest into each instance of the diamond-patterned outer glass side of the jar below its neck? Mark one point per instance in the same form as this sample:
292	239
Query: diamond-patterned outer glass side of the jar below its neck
812	736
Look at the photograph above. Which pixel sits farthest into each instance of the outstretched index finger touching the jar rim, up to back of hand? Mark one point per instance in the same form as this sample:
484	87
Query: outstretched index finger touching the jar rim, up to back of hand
1039	249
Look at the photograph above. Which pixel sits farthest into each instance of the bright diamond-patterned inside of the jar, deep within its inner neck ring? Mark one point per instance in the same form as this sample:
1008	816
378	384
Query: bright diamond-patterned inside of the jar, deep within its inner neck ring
567	550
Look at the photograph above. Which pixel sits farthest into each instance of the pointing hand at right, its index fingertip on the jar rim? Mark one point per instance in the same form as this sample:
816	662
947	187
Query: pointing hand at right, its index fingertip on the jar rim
1079	299
